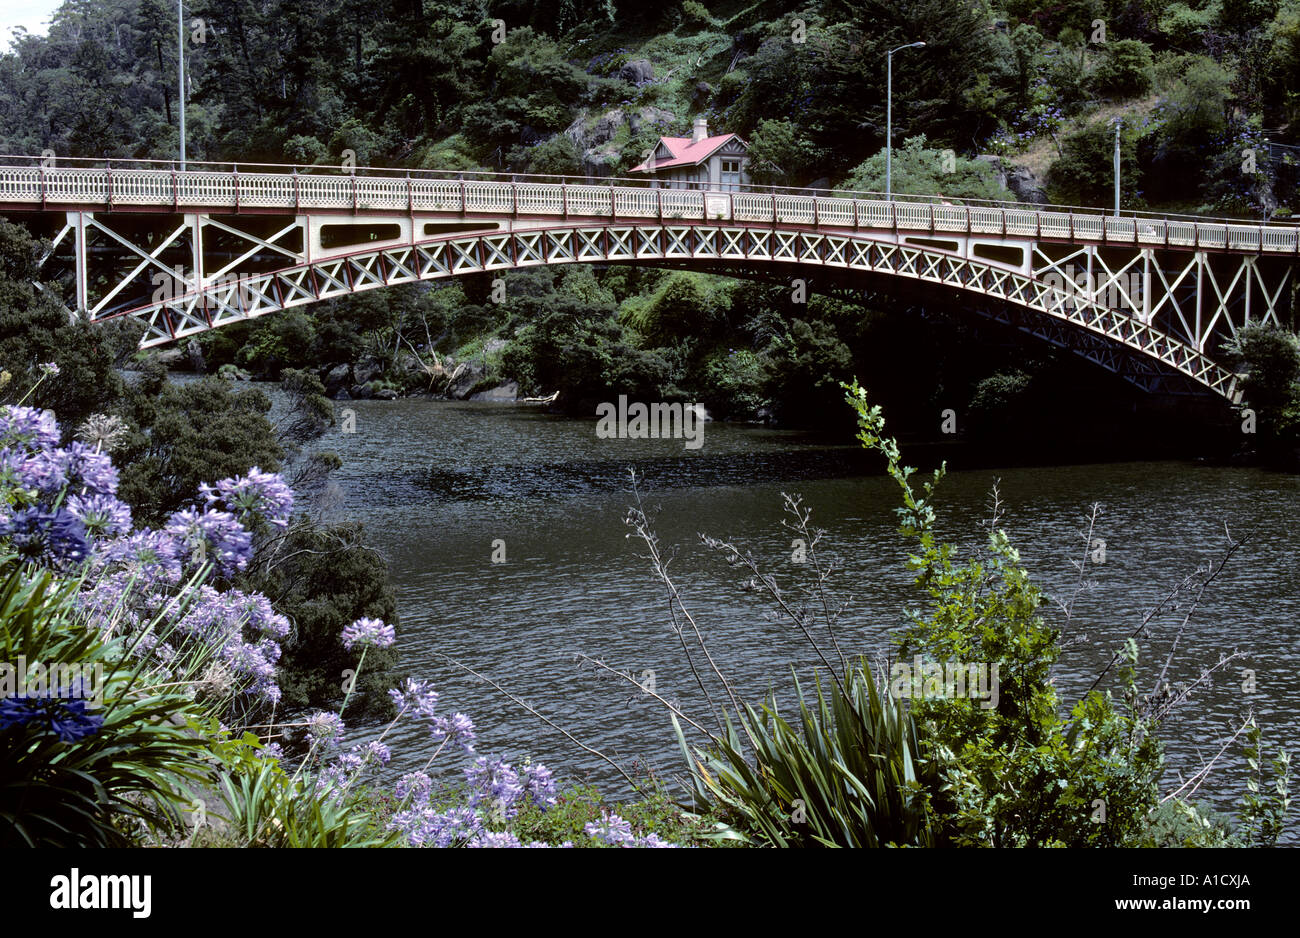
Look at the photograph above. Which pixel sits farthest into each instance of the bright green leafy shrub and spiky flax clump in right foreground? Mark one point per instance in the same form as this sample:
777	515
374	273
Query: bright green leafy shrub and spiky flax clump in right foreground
933	765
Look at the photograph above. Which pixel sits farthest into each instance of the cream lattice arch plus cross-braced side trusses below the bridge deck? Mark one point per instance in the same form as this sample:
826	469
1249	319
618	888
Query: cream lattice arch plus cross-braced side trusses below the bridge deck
1173	309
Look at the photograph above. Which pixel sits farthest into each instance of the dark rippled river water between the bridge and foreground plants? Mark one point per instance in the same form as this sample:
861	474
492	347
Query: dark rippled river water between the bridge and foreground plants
437	484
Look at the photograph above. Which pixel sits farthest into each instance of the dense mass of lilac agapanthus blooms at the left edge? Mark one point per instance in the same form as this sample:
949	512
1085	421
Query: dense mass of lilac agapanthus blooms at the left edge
59	509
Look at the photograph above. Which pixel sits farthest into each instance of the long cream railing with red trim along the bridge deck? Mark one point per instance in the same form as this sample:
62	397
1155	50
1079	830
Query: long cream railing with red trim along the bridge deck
207	189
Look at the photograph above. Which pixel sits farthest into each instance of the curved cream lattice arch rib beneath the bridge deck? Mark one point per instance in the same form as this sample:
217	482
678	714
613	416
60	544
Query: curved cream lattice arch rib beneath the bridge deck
1058	311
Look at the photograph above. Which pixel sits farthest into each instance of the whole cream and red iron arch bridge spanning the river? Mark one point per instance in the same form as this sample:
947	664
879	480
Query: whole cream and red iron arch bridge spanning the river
1154	298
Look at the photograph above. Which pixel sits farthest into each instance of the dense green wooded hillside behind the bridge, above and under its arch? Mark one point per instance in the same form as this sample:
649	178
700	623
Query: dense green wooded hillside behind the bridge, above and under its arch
588	88
